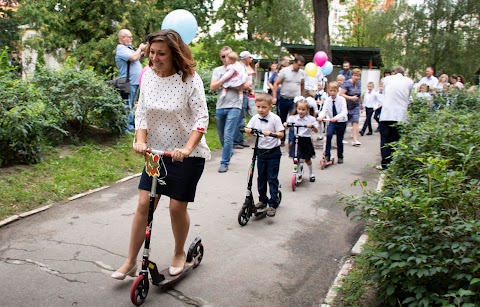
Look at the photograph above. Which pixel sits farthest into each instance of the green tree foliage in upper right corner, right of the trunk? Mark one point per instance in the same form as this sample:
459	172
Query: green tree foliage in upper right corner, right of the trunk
443	34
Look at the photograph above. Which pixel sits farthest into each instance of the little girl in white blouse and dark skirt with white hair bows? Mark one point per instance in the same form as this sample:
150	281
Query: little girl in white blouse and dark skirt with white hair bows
303	114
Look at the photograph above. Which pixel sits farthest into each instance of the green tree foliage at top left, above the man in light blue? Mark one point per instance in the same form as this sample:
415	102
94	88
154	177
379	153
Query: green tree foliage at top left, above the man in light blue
87	29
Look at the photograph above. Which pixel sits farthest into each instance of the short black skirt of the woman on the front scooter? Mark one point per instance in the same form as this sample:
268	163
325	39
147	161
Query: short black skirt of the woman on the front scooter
181	178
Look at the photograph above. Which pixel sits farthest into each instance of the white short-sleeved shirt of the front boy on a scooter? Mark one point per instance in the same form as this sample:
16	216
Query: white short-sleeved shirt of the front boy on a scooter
274	124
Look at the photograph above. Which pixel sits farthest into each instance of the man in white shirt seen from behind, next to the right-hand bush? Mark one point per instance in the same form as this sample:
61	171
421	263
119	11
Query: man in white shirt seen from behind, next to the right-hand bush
397	91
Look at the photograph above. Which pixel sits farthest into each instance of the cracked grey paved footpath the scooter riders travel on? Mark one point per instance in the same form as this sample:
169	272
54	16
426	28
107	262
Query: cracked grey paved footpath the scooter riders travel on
64	255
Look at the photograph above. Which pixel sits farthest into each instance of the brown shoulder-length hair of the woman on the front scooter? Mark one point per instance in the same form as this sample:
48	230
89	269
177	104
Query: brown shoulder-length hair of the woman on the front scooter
181	54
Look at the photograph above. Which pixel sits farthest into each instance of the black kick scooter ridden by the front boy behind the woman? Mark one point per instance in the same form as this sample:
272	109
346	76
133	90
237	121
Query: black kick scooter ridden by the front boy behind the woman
248	208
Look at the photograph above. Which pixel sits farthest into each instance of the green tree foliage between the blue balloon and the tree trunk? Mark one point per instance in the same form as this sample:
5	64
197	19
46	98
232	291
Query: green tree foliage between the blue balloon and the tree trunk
262	25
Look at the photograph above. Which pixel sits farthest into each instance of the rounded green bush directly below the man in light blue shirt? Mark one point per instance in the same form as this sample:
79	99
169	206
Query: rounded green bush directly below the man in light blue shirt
82	99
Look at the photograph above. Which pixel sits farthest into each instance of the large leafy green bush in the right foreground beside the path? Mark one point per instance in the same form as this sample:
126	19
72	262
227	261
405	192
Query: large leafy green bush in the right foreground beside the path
424	225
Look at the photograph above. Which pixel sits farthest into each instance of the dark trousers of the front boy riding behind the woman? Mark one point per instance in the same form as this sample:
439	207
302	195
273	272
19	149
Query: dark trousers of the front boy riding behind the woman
268	165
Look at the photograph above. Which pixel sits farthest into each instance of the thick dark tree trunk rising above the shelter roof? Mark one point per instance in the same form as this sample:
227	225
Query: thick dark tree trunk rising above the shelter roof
322	36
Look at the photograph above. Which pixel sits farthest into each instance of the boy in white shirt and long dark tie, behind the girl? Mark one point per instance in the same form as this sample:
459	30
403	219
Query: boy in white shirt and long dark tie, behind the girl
335	108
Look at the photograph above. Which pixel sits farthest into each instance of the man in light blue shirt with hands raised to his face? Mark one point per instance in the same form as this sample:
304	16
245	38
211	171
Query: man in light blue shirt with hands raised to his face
125	54
